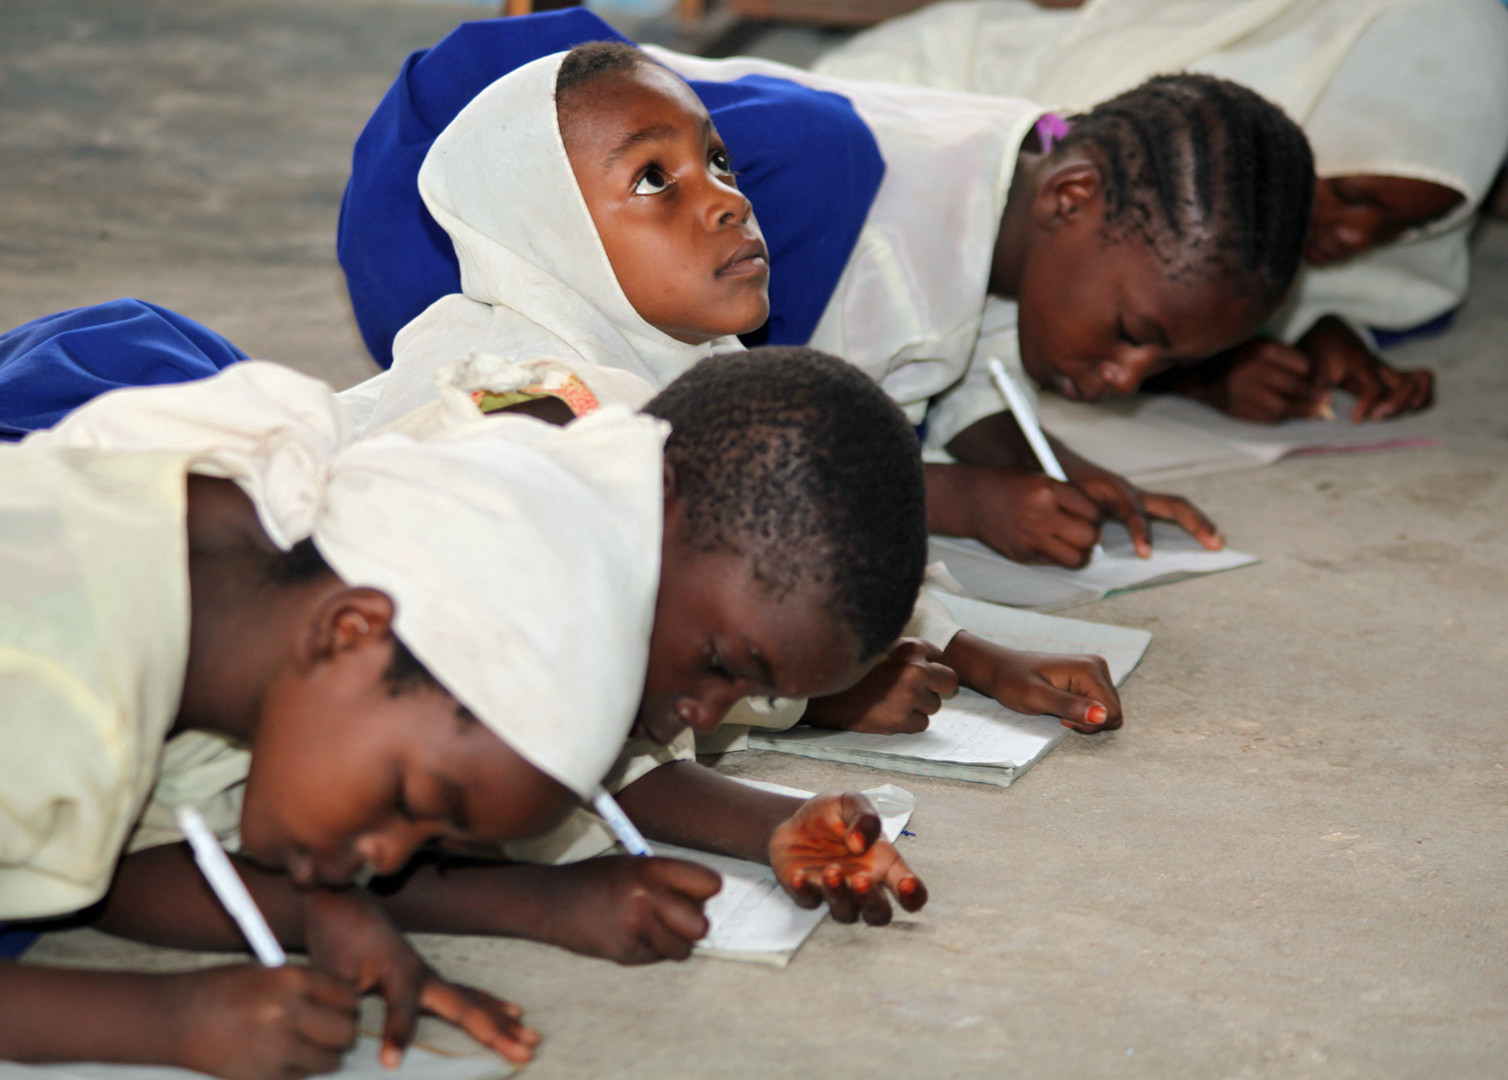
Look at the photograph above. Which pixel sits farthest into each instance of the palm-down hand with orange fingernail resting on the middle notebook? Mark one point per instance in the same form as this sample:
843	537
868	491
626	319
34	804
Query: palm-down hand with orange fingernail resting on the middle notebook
1076	689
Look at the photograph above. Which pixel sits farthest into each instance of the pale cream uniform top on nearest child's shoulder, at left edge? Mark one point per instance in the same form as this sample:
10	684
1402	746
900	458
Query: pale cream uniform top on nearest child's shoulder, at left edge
94	639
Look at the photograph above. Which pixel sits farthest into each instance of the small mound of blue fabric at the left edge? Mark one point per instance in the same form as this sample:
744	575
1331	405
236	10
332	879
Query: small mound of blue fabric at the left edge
55	364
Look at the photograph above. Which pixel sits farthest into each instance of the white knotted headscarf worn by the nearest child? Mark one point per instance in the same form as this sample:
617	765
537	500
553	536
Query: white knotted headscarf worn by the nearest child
523	559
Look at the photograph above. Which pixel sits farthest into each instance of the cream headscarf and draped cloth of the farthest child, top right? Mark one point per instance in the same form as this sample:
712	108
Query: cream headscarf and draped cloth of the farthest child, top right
1399	88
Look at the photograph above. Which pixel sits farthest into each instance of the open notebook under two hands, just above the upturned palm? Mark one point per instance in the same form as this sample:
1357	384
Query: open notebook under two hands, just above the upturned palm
972	737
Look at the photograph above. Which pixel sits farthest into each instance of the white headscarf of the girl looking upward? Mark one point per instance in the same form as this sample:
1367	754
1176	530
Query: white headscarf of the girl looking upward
536	280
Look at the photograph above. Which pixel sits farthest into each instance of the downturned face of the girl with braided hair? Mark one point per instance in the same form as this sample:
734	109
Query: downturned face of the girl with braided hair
1097	318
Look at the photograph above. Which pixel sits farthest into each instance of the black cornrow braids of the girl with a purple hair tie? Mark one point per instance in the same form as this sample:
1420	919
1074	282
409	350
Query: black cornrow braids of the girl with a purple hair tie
1207	173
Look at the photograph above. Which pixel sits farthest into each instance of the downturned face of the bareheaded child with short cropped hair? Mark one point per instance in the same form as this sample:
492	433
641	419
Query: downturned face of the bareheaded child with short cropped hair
720	636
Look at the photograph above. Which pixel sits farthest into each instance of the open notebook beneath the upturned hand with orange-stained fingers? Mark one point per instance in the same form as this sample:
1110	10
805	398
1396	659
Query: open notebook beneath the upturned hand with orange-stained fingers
752	918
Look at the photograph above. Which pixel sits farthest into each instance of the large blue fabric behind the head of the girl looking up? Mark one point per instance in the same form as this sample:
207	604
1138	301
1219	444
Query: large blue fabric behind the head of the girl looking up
805	158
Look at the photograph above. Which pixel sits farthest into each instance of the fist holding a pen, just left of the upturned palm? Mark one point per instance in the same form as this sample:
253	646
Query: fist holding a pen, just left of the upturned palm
628	909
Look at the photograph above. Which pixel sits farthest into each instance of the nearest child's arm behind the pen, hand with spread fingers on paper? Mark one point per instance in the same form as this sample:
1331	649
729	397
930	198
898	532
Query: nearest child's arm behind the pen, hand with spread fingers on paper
161	897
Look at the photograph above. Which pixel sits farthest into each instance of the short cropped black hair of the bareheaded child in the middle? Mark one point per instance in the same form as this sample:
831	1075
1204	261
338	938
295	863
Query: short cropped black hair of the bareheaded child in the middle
800	462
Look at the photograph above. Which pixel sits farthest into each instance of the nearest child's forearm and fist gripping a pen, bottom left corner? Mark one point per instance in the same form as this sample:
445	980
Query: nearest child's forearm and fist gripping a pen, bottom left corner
244	1022
